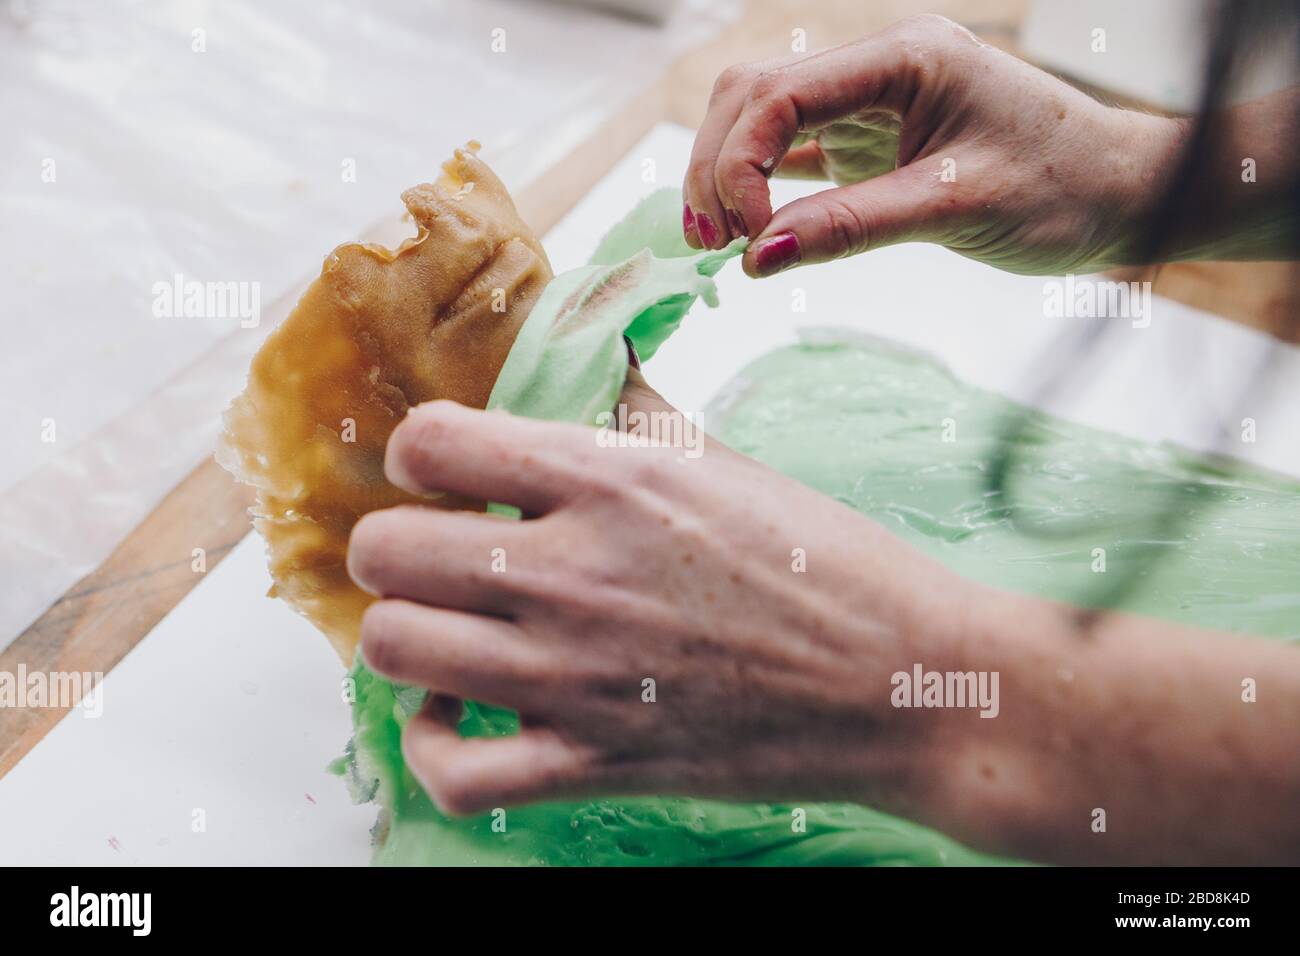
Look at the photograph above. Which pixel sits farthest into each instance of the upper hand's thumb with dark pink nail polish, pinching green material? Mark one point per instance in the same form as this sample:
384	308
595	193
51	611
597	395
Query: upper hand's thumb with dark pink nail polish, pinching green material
908	205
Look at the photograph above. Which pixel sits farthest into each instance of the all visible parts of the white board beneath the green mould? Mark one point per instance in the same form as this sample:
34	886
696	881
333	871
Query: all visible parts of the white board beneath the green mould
180	730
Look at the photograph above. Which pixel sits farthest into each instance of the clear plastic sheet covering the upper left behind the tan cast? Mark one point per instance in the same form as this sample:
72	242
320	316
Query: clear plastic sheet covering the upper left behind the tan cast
153	149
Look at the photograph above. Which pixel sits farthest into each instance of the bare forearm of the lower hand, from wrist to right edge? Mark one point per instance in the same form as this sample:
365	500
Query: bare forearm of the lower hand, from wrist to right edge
1143	721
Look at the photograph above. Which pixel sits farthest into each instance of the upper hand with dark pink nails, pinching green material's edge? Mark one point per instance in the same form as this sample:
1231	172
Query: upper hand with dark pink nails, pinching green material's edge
930	136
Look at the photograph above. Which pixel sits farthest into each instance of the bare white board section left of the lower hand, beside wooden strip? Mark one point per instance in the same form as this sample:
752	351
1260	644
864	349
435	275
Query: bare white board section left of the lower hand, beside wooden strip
211	749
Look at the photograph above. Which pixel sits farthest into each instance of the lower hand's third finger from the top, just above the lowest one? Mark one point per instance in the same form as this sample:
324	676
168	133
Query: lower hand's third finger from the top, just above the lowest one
454	654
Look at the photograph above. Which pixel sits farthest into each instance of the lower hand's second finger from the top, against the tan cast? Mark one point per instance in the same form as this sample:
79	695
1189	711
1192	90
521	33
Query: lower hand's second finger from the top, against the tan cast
448	559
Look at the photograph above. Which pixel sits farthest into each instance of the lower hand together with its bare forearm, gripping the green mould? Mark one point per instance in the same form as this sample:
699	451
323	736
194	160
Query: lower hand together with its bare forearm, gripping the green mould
773	684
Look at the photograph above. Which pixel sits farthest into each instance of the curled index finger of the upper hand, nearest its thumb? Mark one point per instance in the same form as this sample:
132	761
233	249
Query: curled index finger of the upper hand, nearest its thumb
869	75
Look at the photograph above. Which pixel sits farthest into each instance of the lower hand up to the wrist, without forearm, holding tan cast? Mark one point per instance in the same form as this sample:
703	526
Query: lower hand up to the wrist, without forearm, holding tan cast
639	565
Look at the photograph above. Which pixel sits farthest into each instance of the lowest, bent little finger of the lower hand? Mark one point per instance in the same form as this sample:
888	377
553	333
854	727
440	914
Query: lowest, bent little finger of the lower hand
467	776
